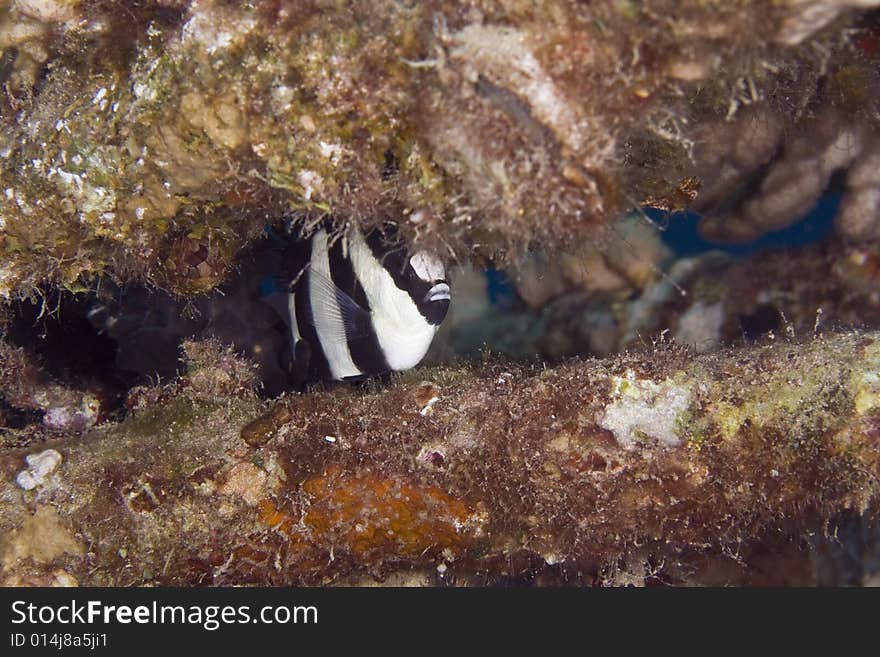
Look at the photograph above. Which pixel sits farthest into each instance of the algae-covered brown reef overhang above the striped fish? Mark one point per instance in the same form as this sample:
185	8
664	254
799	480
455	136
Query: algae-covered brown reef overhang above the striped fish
152	141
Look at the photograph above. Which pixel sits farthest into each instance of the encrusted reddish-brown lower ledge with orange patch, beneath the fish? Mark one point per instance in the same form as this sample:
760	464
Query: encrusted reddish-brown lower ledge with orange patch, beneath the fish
653	461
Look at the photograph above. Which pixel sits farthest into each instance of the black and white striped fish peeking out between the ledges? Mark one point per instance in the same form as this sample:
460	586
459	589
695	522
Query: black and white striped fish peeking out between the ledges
359	305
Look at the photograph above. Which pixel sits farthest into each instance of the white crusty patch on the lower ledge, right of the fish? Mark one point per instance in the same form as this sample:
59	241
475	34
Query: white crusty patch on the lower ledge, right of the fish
643	409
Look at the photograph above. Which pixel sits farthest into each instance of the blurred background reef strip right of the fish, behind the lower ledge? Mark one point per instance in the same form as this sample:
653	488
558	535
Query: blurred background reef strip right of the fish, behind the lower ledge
704	302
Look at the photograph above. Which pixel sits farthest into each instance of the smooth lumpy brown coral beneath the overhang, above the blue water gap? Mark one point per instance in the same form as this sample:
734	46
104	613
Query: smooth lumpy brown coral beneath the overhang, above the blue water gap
763	180
